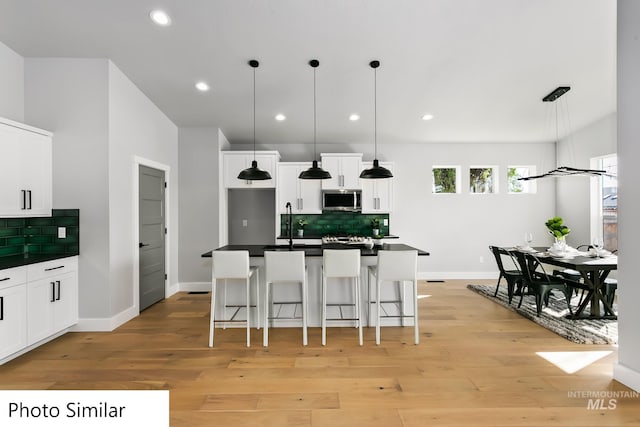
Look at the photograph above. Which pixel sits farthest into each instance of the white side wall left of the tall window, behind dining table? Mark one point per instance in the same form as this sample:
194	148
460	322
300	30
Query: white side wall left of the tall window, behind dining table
595	140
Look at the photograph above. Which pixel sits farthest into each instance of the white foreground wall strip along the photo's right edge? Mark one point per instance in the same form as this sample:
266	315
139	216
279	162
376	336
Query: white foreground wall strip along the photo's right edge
628	369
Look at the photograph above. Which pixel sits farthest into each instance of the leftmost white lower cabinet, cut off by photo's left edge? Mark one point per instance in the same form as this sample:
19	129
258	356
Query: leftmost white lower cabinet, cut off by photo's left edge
13	310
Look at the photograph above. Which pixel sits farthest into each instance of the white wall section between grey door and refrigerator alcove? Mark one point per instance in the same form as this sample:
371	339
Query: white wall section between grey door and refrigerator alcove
199	183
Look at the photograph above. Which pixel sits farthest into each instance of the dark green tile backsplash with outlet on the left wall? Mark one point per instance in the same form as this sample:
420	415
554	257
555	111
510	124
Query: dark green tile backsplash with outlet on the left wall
40	235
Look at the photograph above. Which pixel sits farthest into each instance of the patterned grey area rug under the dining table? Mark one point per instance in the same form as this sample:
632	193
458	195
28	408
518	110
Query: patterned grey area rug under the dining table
583	331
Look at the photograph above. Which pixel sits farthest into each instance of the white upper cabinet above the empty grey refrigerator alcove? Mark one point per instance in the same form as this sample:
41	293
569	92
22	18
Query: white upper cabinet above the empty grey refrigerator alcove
235	161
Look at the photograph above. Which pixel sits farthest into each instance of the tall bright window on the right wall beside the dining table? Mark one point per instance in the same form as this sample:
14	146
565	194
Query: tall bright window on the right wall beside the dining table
604	201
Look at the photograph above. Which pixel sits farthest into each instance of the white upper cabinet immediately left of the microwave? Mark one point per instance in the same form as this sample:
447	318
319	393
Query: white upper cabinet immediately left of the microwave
305	195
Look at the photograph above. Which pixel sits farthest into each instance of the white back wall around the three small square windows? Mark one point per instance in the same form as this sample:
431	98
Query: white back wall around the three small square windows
456	228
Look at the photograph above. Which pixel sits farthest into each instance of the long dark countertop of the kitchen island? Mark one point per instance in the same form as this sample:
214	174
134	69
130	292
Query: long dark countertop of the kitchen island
316	250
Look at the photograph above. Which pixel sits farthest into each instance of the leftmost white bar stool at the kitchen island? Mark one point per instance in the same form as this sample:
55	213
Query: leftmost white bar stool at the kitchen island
230	265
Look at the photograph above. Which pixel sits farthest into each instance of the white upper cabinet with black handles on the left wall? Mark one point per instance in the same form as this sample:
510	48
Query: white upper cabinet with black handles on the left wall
25	170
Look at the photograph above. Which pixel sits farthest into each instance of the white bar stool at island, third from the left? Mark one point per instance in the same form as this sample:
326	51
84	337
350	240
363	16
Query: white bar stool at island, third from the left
341	263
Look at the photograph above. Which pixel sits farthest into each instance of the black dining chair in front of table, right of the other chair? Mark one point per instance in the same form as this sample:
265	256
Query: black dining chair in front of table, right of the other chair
538	282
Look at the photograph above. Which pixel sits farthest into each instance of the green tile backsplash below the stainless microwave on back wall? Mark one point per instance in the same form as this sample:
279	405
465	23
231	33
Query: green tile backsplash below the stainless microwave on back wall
335	224
